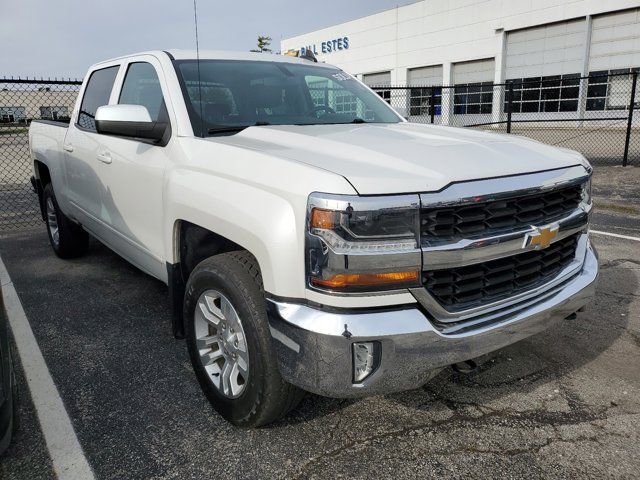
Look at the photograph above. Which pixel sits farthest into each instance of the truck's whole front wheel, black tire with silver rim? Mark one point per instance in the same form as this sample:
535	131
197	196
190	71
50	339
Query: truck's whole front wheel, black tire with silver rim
230	343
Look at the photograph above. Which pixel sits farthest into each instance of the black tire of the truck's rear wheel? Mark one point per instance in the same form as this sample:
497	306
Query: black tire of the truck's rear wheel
72	240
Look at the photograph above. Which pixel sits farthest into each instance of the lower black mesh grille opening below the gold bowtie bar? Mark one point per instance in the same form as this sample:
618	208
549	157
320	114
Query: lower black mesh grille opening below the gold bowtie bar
479	284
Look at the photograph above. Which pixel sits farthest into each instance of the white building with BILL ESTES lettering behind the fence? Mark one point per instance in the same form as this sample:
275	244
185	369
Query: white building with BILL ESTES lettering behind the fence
474	44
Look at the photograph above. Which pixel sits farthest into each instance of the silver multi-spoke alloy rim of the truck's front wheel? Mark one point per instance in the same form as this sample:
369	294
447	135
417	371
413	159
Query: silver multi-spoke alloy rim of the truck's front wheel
221	343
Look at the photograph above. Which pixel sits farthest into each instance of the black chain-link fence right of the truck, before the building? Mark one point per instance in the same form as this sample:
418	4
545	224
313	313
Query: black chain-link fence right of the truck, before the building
598	115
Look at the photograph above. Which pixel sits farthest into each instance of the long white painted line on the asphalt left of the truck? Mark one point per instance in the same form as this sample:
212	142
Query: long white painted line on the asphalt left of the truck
69	461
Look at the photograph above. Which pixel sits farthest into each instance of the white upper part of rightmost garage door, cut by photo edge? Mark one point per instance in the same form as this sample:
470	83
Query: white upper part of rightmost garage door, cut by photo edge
615	41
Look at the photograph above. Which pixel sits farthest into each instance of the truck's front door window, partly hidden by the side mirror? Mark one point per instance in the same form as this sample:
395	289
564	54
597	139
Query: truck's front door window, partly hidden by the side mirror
142	87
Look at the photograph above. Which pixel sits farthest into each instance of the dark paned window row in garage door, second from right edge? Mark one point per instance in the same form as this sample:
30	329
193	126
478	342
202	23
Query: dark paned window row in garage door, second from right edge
553	93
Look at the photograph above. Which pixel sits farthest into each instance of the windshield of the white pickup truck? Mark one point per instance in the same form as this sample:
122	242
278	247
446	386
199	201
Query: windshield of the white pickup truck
240	93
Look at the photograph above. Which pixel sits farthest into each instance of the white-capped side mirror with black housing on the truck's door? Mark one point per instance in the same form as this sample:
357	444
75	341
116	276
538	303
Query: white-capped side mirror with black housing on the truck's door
128	121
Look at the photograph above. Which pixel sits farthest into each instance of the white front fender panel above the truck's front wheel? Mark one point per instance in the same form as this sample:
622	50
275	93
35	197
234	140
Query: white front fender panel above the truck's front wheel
268	223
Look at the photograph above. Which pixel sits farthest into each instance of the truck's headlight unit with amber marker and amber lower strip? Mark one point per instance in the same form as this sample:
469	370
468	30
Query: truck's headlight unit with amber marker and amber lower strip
362	244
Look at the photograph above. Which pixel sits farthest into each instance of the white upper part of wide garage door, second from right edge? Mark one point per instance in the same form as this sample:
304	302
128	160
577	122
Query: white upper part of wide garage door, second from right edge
555	49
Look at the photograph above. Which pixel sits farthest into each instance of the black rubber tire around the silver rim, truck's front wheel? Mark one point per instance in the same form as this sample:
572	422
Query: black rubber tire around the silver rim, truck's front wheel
266	396
